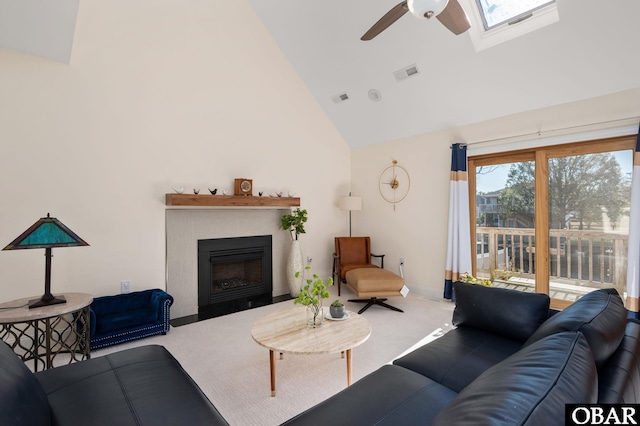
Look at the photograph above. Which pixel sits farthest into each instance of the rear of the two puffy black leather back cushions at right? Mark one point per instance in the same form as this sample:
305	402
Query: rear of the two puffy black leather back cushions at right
599	315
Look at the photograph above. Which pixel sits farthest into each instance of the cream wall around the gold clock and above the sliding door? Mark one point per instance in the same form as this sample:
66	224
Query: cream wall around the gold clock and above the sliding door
417	229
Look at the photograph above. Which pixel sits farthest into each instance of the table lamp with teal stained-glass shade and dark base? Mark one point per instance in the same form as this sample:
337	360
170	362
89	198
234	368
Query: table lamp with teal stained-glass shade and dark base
46	233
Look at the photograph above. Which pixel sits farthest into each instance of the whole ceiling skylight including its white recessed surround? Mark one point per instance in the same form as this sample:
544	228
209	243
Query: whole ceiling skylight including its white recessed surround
497	21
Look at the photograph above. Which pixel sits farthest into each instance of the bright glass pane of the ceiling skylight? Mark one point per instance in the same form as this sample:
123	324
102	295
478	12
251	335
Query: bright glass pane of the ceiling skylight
497	12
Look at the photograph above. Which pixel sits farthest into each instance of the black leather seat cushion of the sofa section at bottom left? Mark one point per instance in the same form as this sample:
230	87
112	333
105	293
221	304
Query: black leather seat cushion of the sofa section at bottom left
139	386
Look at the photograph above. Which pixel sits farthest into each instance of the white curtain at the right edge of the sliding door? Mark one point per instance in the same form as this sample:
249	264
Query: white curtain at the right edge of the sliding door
633	269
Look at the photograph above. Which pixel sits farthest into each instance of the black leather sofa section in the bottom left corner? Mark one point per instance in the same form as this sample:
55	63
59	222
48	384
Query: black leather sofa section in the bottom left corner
139	386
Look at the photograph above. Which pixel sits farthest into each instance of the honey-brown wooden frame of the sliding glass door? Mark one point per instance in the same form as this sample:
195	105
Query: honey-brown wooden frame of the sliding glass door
541	156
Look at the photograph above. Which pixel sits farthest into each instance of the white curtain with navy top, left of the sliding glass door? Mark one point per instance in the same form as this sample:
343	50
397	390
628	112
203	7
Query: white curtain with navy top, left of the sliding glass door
459	240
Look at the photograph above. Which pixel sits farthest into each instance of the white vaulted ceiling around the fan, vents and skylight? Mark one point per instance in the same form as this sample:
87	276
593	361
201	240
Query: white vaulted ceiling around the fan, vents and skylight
591	51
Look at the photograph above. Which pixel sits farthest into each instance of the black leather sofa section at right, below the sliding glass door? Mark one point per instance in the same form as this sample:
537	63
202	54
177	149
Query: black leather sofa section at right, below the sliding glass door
510	361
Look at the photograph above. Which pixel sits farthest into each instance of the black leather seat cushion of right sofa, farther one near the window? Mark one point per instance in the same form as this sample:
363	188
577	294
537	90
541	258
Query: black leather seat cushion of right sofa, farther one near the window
460	356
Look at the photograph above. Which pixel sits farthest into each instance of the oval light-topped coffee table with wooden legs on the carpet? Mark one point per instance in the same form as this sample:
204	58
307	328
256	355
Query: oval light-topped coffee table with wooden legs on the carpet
286	331
